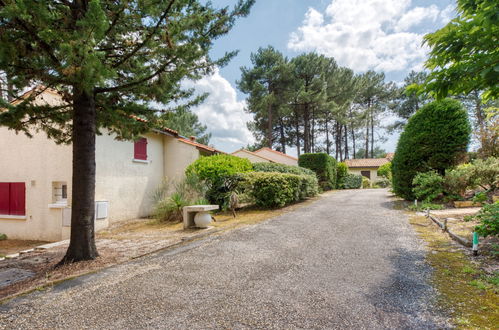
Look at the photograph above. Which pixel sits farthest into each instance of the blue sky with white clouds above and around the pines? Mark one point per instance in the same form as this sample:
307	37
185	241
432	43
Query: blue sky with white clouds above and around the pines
380	35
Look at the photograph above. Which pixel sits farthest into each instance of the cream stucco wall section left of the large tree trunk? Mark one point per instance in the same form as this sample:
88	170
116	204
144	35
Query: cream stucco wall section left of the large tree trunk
37	162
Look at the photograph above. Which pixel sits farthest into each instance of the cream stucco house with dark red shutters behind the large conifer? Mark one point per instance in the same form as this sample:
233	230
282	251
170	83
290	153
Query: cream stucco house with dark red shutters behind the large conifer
35	178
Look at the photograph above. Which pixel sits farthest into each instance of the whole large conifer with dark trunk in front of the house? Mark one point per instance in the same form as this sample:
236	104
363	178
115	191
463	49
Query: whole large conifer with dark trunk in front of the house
107	59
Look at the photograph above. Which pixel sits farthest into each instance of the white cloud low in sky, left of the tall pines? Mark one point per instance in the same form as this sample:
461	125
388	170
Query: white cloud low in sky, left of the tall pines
222	113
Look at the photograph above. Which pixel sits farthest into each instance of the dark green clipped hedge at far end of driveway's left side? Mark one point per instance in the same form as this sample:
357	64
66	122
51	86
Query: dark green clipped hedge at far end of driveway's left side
323	165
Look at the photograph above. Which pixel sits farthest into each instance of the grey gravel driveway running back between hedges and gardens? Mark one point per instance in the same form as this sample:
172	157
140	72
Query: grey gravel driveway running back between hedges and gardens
348	260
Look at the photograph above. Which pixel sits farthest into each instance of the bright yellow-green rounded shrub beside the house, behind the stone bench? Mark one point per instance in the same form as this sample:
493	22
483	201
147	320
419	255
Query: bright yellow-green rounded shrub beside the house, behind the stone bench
213	168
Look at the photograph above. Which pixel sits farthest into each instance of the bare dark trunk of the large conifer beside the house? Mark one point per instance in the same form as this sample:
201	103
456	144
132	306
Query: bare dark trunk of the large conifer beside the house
82	242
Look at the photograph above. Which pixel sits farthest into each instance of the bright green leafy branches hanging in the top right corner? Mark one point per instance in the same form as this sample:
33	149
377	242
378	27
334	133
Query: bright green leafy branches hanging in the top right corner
464	53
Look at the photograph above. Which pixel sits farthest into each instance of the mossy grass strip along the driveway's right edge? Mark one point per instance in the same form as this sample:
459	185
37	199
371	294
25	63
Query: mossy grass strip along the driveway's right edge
465	290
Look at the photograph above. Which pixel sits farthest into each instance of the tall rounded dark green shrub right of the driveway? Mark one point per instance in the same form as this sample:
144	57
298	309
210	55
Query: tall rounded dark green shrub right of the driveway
435	138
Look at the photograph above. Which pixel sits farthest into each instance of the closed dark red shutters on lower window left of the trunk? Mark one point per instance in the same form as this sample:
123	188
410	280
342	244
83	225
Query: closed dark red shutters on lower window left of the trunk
12	198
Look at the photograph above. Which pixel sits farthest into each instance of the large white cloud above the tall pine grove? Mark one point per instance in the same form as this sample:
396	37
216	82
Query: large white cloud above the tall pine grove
368	34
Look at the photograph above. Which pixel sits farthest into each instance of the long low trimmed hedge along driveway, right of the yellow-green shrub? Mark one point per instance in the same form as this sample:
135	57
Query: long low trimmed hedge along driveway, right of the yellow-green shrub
274	189
